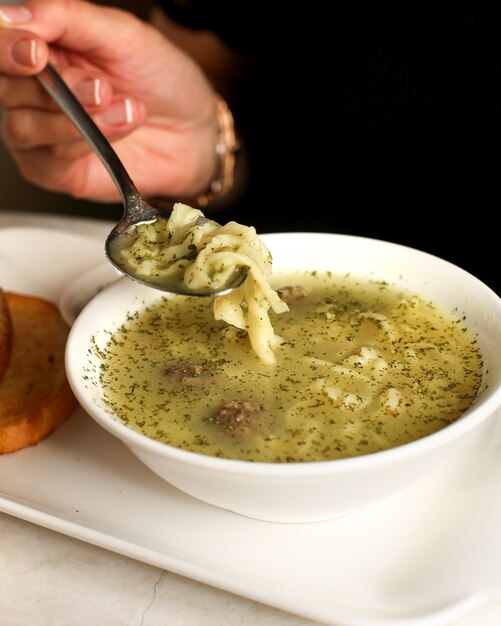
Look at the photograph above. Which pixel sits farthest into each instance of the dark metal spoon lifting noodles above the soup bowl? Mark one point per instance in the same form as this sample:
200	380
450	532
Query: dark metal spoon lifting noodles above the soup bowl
136	210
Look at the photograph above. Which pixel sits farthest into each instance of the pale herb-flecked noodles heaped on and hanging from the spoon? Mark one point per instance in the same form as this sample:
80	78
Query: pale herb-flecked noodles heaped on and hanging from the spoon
205	256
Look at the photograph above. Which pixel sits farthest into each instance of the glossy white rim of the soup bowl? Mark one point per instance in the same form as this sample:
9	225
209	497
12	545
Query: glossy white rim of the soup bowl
481	408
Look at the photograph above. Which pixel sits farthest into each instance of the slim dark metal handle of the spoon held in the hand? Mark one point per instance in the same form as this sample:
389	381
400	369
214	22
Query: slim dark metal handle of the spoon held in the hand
61	93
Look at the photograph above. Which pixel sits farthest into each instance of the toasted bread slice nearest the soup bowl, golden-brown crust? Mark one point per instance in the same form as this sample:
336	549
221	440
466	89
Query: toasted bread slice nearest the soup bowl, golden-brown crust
35	396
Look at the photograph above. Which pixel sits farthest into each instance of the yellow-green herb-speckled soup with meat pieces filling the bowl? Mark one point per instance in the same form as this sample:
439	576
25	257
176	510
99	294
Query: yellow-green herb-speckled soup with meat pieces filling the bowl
362	367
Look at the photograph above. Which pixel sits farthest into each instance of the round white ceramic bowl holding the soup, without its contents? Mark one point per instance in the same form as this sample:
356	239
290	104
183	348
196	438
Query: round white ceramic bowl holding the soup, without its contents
303	492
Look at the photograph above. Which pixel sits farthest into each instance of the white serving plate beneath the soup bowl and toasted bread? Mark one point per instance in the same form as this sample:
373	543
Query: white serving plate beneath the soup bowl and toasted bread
424	556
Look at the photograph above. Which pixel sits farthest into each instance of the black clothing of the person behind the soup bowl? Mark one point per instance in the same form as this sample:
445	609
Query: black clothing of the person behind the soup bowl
371	118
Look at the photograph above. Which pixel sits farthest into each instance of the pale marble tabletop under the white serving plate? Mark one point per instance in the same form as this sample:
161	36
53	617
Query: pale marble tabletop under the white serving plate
49	579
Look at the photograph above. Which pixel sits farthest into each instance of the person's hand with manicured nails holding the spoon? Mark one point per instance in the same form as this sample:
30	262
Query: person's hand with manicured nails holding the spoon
148	97
